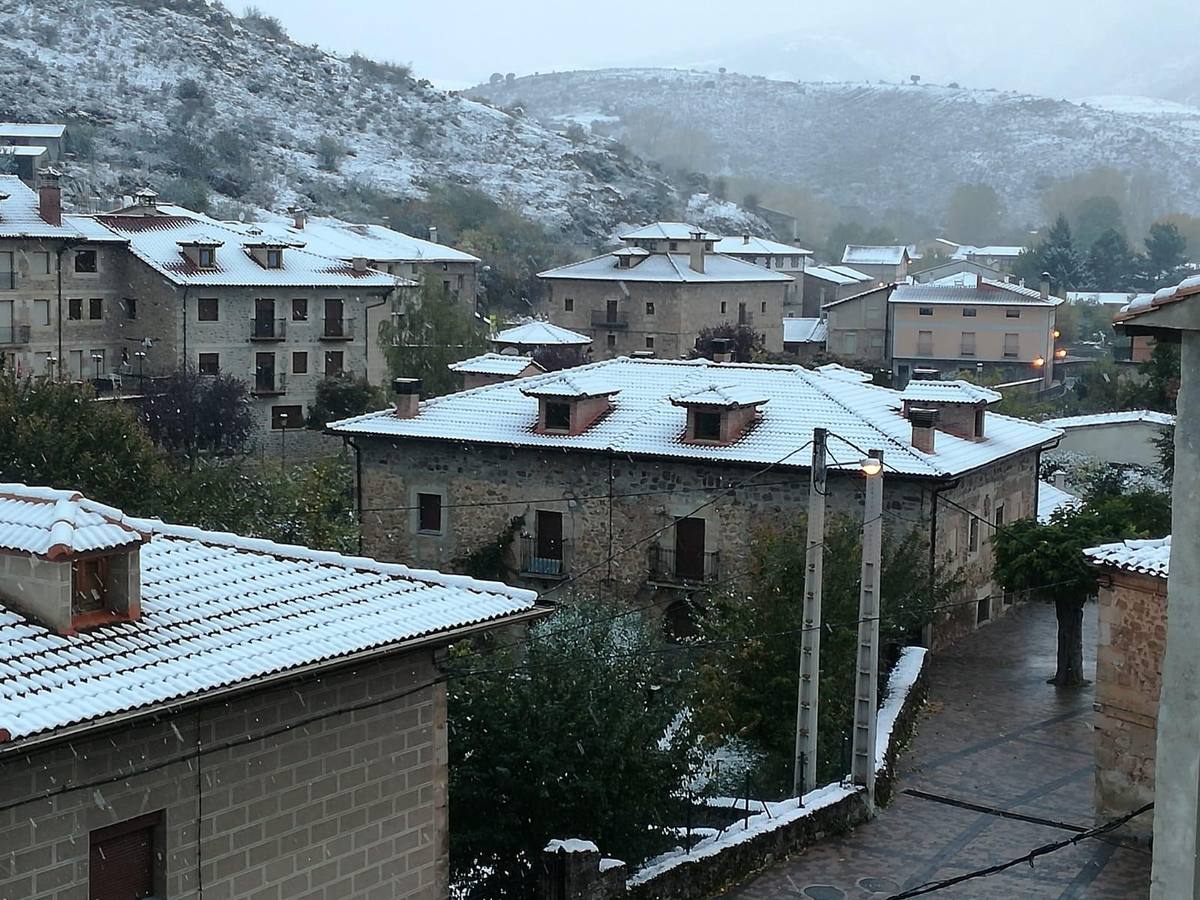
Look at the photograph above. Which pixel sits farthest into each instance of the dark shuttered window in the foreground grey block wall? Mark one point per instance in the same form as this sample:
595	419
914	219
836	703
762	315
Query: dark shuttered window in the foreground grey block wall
127	860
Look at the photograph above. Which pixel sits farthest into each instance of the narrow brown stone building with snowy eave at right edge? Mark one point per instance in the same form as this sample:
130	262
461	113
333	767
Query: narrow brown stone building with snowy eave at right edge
1130	676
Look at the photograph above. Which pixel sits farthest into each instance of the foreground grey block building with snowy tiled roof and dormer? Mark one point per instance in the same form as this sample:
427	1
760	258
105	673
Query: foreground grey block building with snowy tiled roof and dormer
195	715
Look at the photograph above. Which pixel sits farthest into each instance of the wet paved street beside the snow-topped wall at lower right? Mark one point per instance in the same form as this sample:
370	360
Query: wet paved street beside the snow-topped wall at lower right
994	734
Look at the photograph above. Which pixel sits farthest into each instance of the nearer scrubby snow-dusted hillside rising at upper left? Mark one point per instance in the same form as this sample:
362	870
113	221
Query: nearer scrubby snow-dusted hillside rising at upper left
263	107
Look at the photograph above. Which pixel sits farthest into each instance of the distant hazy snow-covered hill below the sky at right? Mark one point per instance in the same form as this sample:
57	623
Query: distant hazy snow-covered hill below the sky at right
879	146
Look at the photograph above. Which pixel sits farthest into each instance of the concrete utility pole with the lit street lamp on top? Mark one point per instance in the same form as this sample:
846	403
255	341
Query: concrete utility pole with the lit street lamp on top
867	679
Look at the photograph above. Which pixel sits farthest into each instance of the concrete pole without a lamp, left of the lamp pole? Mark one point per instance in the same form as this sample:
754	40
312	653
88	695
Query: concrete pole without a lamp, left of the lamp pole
808	694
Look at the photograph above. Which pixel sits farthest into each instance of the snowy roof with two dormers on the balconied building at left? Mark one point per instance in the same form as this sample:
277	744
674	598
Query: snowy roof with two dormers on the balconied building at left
157	242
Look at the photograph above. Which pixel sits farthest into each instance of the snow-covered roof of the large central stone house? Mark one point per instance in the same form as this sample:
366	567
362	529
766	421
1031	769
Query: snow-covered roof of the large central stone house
644	421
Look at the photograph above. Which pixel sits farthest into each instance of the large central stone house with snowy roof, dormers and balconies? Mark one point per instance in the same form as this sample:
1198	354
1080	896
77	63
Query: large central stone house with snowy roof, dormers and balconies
647	478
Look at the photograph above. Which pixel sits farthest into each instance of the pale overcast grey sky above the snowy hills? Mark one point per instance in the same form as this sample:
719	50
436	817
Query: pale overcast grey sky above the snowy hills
1055	47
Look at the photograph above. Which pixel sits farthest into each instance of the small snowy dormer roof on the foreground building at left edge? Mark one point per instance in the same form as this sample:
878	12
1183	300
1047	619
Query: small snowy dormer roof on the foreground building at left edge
57	525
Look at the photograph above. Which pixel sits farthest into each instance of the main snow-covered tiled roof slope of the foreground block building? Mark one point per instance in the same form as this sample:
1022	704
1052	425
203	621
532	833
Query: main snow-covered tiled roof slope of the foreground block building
220	610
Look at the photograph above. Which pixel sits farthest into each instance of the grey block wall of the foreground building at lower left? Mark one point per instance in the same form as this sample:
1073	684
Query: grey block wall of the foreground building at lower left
353	806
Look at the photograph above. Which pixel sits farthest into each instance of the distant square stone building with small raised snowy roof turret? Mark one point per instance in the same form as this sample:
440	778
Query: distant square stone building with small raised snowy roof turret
659	291
